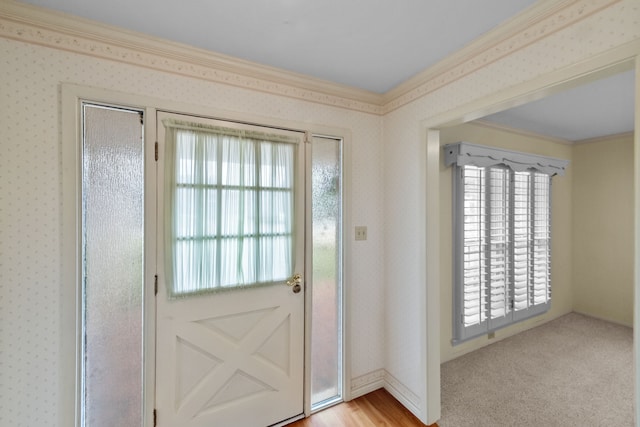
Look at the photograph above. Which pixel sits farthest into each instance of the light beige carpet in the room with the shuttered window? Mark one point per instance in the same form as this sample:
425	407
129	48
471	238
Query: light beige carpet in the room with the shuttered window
573	371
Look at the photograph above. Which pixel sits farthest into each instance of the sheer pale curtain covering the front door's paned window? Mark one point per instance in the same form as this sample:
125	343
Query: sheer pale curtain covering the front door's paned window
229	207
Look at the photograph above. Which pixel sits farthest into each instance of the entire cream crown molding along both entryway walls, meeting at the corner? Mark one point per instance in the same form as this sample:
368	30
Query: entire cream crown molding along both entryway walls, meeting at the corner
32	24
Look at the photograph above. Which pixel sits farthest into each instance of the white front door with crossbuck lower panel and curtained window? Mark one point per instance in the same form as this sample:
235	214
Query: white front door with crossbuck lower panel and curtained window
230	330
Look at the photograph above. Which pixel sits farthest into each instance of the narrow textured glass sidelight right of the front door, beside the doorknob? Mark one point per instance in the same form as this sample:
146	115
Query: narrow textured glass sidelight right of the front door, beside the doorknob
327	224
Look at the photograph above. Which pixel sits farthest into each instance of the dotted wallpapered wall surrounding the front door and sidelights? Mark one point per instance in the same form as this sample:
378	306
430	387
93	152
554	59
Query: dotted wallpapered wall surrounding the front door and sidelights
30	209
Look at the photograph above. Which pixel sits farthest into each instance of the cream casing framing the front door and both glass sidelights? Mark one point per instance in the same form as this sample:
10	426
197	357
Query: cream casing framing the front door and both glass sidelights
71	268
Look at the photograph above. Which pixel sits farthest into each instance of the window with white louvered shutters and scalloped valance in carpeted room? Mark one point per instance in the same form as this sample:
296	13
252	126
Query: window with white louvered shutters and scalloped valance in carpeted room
502	236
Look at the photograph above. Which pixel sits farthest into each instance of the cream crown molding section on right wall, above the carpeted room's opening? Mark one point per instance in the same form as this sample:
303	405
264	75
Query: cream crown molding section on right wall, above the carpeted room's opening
540	20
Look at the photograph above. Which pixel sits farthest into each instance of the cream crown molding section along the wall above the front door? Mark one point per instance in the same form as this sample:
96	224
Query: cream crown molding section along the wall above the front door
33	24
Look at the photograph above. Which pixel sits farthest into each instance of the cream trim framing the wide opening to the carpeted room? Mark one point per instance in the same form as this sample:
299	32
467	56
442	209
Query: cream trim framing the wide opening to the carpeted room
620	60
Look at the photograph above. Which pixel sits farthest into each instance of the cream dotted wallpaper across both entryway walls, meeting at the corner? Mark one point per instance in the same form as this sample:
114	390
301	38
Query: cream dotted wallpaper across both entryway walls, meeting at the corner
388	195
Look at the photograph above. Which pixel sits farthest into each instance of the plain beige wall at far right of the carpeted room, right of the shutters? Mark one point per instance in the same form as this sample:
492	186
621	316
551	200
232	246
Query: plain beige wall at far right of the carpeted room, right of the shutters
603	248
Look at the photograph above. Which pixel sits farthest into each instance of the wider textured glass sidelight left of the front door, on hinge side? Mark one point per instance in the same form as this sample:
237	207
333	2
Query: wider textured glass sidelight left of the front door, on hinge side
113	185
